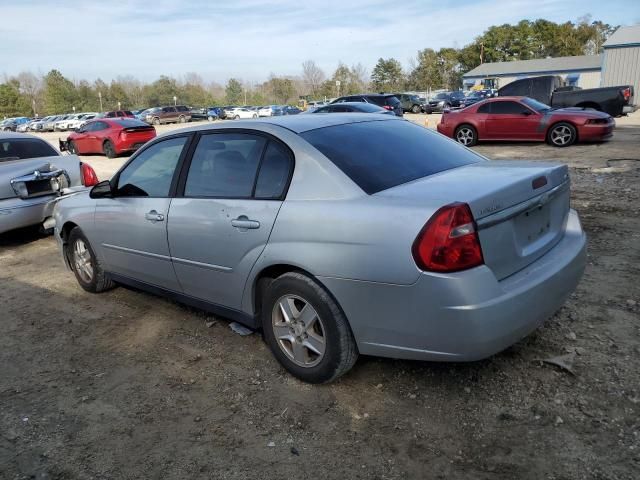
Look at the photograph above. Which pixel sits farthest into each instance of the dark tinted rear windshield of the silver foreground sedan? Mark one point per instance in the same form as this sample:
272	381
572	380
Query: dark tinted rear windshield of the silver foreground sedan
383	154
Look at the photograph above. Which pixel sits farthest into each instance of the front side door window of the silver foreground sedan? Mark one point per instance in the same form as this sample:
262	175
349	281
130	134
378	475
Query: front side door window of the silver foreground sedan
150	173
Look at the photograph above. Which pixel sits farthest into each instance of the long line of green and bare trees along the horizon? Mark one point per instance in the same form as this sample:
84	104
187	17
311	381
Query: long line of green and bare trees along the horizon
29	94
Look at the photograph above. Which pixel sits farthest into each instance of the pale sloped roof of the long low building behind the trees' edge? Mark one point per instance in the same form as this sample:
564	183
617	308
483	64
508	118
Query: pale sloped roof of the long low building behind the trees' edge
541	65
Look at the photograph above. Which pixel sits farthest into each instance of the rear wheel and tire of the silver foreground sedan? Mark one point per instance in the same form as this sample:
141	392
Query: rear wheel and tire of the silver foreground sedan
306	330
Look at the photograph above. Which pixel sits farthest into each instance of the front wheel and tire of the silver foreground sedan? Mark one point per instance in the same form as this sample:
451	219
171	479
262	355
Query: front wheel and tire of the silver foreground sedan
85	265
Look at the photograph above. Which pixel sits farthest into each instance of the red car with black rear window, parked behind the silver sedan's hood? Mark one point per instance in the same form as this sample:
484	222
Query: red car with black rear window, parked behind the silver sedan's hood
110	136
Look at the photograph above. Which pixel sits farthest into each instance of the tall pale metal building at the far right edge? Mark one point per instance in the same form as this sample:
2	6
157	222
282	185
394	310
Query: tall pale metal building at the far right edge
621	65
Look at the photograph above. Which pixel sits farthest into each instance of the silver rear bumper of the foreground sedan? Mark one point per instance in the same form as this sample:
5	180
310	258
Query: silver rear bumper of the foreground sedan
464	316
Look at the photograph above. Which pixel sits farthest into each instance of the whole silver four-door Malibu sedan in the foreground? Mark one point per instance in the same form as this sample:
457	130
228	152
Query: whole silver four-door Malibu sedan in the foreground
336	235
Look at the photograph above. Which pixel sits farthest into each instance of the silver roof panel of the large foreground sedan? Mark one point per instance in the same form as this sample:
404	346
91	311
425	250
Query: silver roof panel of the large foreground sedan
298	123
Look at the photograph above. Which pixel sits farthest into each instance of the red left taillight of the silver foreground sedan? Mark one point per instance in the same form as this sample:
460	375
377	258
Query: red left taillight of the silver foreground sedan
449	241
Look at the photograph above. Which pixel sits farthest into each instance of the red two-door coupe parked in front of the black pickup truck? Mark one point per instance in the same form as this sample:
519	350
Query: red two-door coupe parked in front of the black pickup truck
525	119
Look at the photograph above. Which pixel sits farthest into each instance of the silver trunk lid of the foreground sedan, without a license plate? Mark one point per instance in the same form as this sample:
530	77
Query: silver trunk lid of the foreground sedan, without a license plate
520	208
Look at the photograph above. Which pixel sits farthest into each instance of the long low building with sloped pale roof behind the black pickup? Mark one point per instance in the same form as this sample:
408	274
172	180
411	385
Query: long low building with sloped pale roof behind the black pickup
582	71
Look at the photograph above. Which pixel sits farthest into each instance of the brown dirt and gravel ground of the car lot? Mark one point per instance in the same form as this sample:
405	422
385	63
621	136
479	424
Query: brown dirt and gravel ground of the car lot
125	385
